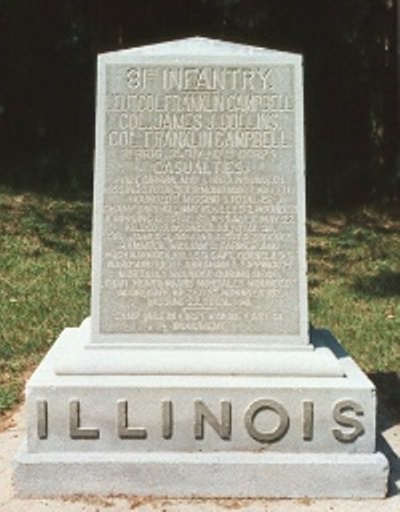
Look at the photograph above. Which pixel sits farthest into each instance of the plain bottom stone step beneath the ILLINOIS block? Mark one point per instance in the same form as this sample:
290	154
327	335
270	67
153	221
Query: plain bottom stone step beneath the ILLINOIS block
185	475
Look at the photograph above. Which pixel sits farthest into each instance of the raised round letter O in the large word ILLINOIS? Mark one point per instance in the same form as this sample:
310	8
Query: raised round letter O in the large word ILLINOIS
264	405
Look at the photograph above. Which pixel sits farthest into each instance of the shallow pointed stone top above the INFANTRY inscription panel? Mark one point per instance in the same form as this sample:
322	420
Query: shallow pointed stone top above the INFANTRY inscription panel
198	48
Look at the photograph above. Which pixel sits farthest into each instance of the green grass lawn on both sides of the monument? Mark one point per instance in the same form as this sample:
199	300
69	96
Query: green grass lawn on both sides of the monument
354	282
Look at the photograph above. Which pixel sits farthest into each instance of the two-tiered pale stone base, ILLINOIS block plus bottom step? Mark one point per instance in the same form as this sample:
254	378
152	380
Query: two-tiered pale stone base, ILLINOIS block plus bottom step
202	435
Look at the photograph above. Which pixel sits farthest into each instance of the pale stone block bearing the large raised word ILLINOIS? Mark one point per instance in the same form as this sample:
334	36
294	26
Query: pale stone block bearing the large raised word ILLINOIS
128	413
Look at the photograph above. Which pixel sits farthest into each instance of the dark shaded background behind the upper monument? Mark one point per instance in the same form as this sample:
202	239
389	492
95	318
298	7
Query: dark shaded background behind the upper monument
48	54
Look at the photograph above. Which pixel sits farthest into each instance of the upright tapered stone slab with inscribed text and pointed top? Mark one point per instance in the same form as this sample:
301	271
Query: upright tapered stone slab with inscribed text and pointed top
199	223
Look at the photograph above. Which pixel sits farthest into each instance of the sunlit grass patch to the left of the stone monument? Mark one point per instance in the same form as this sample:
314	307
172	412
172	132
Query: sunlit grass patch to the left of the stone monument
44	281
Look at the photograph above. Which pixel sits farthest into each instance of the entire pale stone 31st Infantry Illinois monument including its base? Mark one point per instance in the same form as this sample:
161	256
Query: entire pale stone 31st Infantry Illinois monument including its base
196	374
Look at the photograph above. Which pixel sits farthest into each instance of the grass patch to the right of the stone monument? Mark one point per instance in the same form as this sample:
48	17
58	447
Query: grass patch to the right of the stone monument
354	284
